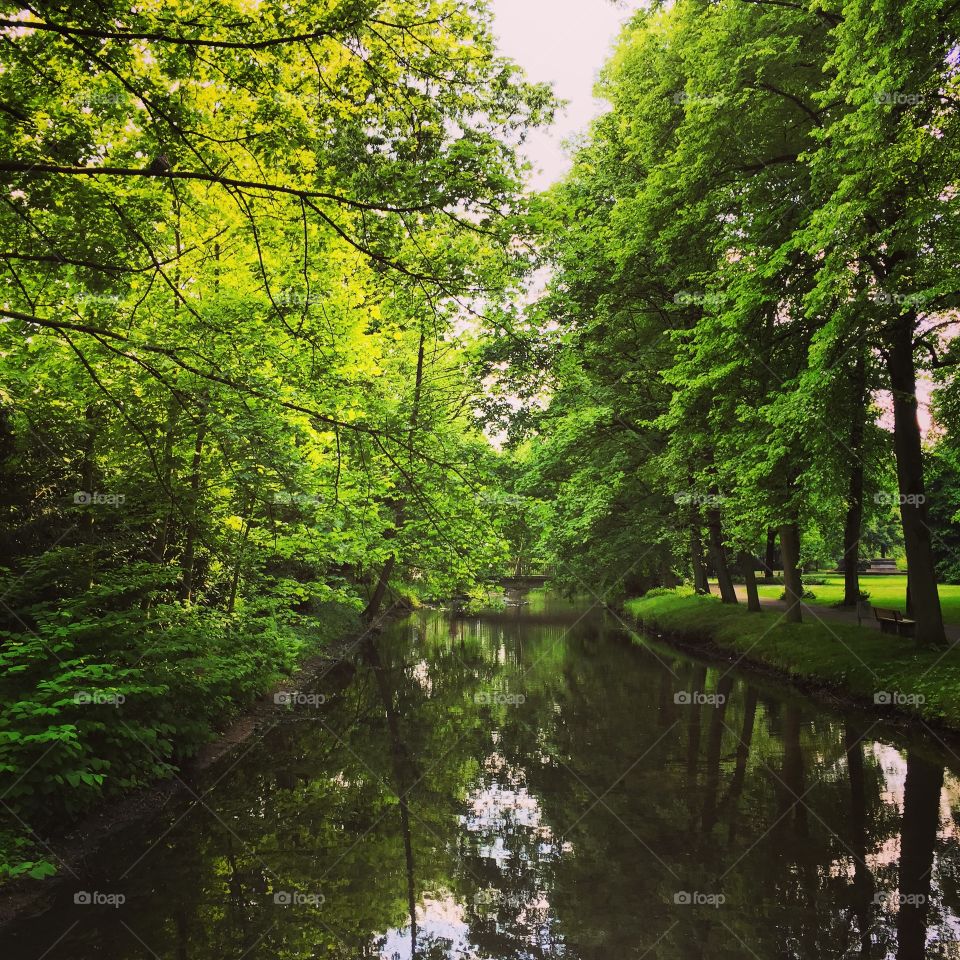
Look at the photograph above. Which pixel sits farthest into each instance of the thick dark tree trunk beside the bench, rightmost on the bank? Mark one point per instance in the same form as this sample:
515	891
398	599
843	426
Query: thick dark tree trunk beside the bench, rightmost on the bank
925	599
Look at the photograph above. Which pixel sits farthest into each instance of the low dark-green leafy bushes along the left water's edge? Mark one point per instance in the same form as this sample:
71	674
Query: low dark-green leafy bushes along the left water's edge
105	692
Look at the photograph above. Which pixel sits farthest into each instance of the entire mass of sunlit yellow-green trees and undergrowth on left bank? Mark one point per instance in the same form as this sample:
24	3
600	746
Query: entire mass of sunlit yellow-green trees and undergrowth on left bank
239	244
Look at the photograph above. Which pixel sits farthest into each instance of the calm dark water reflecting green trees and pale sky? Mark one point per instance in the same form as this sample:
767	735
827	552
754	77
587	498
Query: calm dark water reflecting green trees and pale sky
525	785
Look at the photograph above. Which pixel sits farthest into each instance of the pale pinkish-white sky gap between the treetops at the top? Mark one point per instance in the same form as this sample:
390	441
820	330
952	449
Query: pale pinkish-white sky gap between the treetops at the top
564	42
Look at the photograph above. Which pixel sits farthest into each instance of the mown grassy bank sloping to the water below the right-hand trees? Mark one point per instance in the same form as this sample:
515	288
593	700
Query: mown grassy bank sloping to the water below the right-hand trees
865	664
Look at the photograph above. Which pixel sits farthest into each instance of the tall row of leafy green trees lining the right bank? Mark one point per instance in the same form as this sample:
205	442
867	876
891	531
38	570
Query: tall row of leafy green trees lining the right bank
754	291
